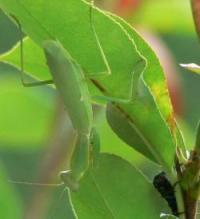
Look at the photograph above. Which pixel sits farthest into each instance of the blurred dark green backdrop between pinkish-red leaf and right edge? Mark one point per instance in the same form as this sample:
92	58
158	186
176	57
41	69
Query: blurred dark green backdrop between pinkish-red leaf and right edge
185	48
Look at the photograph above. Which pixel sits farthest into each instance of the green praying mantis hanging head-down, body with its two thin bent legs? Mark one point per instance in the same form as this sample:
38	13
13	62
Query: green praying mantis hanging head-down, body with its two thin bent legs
71	83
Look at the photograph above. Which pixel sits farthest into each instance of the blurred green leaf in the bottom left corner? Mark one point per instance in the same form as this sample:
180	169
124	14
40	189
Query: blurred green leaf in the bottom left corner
10	203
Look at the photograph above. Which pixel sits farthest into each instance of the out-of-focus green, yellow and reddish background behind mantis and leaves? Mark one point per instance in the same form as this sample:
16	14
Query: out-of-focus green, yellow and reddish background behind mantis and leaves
36	133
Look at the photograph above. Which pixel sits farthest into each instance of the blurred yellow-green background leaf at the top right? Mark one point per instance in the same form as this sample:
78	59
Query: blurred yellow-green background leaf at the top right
165	16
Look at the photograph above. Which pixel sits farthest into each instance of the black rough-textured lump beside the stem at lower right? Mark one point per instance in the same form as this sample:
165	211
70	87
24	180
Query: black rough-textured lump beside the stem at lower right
165	188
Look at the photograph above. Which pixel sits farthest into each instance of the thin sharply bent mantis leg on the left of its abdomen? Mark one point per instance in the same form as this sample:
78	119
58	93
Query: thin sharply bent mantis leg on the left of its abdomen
22	72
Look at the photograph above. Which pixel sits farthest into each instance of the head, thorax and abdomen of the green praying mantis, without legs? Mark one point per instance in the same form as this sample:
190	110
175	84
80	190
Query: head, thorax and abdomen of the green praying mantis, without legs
70	82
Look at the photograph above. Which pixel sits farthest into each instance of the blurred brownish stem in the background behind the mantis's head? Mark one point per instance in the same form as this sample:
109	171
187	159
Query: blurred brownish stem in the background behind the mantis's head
61	139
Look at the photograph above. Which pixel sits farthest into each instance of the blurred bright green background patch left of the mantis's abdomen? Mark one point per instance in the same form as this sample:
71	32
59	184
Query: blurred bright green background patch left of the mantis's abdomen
24	102
